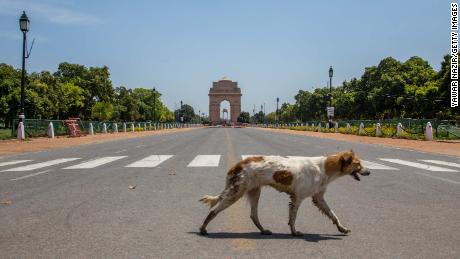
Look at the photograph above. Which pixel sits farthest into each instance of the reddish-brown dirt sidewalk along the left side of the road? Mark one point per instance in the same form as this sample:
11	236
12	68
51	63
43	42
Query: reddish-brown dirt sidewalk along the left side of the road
14	146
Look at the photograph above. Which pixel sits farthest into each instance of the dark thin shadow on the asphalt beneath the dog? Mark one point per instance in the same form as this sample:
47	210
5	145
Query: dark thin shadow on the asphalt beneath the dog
256	235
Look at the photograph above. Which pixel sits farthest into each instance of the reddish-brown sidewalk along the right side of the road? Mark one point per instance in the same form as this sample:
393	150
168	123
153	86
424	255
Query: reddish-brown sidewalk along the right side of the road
435	147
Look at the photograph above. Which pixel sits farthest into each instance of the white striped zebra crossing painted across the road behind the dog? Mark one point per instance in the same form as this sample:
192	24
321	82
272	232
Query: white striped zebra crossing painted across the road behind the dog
152	161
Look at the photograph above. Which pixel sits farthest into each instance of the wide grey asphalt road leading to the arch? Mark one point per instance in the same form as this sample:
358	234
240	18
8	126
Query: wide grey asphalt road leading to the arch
399	211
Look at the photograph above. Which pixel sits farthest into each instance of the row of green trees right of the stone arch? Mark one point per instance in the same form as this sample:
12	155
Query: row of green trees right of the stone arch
392	89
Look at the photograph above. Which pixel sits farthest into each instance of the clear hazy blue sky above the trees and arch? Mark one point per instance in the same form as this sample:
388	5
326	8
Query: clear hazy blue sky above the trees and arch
272	48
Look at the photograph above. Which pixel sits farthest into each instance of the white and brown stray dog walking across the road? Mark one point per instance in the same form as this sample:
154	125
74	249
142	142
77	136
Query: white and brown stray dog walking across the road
300	177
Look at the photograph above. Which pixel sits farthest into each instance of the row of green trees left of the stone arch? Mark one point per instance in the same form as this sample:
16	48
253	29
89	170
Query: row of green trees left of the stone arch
78	91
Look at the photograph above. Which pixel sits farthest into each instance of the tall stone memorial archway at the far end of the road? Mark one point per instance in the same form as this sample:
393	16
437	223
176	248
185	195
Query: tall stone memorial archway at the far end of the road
224	90
